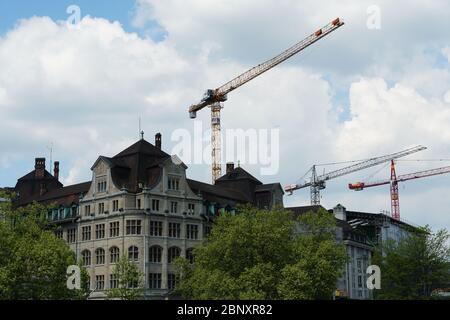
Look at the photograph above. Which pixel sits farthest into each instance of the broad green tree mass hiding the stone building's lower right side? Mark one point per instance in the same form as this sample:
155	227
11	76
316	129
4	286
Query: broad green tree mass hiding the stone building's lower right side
260	254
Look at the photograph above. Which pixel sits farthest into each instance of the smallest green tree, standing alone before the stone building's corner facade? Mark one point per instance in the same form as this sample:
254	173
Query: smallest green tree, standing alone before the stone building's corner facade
130	283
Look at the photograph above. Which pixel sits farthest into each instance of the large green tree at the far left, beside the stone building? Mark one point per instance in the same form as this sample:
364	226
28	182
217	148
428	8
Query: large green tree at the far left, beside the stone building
33	261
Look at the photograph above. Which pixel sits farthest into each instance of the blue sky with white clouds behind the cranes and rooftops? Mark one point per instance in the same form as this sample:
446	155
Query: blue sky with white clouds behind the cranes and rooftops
378	85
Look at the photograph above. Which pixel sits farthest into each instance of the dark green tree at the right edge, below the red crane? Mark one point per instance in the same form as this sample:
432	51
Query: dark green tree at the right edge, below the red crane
415	266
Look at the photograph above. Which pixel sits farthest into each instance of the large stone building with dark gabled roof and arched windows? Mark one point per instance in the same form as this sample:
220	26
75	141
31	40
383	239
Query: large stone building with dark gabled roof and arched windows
140	204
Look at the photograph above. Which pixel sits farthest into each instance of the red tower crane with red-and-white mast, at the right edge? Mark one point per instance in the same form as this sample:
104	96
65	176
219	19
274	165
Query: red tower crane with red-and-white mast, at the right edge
393	182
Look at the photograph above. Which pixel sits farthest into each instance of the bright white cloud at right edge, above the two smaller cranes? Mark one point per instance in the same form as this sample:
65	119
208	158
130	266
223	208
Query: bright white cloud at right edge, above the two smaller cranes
386	118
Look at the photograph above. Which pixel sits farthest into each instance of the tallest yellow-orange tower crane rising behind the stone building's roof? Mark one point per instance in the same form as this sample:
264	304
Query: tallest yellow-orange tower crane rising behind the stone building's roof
214	97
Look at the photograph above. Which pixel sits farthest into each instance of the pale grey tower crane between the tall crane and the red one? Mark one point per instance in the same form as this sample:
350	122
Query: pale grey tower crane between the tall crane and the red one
317	183
